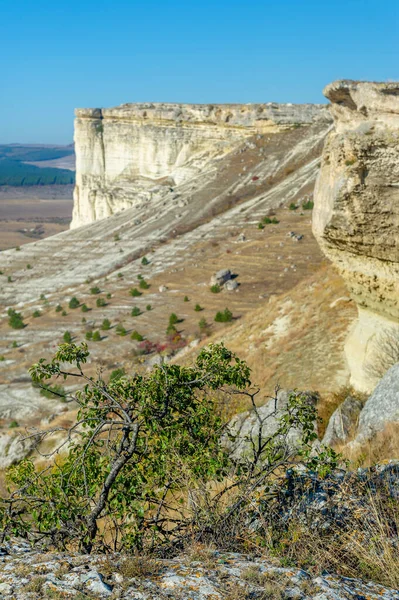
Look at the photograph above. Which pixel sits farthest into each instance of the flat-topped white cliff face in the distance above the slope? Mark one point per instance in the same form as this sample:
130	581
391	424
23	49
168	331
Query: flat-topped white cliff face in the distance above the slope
129	155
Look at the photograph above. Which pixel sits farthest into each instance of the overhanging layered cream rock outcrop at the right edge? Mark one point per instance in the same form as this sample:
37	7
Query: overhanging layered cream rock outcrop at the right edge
356	215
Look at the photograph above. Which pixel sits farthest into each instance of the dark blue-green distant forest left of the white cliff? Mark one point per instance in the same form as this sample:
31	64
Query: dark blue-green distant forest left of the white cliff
15	172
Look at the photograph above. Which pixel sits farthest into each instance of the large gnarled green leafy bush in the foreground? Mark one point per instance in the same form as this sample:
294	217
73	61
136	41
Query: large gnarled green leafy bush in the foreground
113	492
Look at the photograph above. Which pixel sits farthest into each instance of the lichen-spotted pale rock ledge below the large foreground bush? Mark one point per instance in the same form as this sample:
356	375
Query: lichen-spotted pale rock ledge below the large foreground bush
212	576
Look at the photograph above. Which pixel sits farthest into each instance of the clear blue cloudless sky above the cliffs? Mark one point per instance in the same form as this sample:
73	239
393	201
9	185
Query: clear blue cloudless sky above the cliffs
56	55
